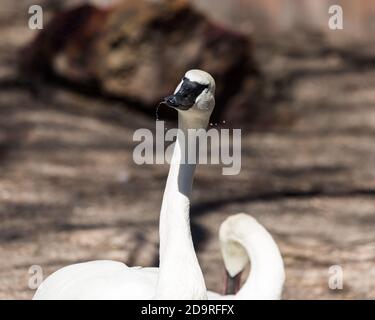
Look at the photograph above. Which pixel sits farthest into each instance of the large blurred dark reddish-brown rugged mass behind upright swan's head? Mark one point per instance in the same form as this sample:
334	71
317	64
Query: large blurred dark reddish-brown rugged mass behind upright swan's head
139	49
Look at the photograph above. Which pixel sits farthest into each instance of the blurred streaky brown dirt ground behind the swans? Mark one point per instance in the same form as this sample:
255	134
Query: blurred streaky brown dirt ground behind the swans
70	191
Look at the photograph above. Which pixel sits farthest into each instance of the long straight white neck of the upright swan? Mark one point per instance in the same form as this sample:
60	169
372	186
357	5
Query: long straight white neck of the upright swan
180	276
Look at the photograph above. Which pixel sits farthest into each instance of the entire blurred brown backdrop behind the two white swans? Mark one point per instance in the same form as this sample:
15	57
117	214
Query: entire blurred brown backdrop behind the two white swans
72	95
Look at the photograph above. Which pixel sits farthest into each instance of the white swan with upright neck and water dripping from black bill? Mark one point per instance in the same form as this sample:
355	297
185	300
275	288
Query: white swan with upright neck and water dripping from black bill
179	275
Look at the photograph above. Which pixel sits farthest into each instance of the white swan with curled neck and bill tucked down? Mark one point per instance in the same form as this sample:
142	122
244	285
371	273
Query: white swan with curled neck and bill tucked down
242	239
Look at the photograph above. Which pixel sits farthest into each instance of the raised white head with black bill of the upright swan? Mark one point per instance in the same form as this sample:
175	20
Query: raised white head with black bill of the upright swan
195	93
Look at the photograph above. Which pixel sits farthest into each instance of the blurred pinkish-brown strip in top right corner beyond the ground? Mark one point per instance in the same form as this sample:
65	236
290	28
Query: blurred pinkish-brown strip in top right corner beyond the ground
286	15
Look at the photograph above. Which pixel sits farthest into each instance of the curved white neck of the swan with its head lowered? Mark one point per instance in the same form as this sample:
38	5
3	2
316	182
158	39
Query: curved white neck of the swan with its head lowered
267	273
